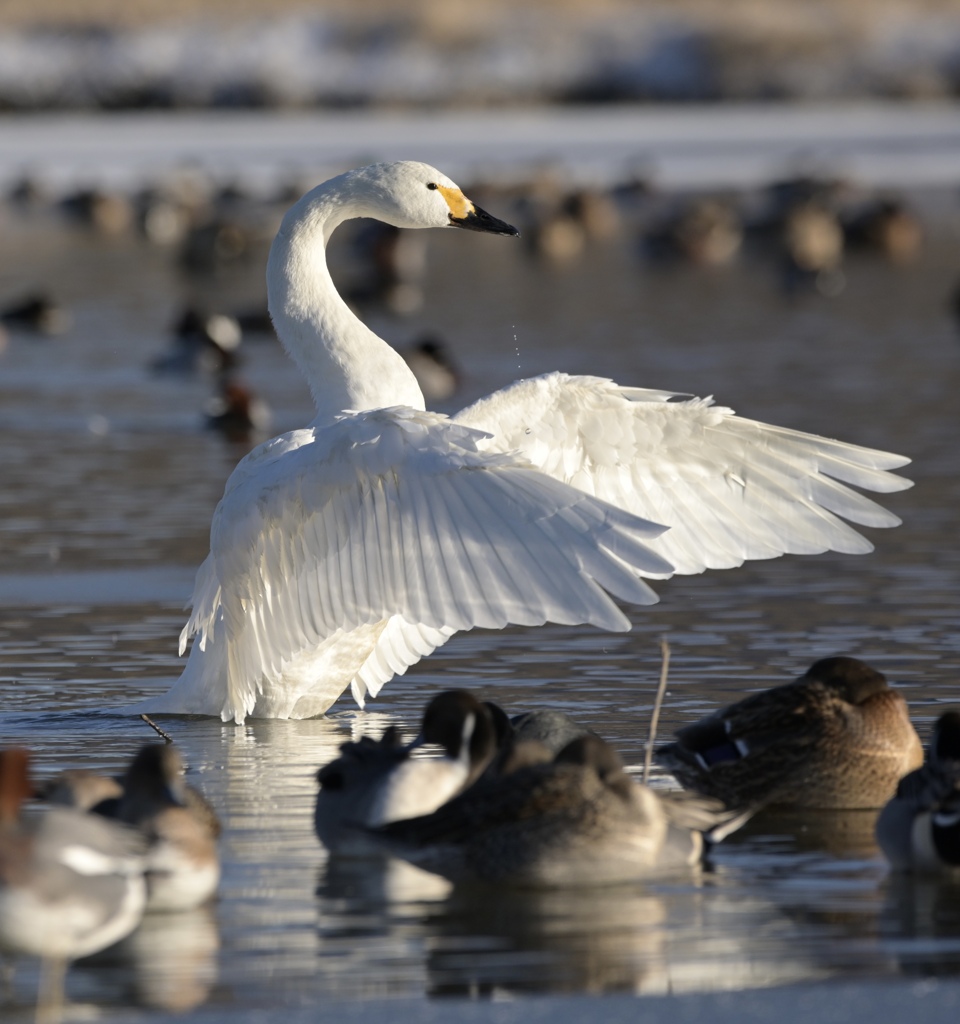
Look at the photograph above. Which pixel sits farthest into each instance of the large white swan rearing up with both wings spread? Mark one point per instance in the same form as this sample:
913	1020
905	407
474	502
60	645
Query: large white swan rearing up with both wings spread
343	553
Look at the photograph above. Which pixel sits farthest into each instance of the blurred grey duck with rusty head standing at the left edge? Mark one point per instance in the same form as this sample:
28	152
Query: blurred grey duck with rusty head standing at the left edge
71	884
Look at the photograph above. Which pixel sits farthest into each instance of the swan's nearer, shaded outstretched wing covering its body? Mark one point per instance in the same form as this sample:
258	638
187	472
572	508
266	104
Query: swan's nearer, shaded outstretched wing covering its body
396	515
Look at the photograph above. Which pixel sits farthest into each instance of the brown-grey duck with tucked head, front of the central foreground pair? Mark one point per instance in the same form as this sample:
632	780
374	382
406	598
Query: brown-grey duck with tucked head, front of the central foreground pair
578	820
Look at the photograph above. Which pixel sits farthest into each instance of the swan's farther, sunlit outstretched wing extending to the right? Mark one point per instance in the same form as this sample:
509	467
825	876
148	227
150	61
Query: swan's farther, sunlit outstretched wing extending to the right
729	489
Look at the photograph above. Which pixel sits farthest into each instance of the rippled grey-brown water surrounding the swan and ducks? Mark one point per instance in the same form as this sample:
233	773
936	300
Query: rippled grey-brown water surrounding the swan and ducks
109	485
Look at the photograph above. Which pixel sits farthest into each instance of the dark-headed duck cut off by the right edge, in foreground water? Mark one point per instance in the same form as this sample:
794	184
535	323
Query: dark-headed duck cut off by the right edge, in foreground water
919	830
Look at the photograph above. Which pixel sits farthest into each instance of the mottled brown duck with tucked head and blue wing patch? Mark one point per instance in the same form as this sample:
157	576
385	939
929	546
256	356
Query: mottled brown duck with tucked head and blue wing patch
838	738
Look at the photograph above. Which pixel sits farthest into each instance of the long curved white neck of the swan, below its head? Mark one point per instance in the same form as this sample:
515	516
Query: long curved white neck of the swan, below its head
346	365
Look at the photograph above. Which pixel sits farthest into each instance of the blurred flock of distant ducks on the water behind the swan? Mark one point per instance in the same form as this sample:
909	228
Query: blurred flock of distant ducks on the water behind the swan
807	225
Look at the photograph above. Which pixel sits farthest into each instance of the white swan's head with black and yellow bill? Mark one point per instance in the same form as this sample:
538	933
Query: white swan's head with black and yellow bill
409	194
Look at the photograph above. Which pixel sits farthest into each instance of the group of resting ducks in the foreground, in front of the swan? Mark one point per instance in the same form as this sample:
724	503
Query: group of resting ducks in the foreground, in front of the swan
533	800
